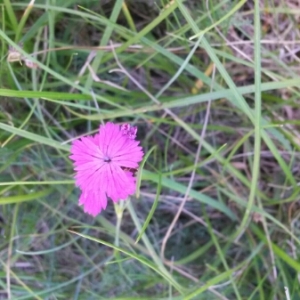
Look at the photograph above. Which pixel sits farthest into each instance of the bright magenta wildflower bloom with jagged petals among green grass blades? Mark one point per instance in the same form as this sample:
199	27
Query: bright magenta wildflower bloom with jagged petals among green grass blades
105	165
